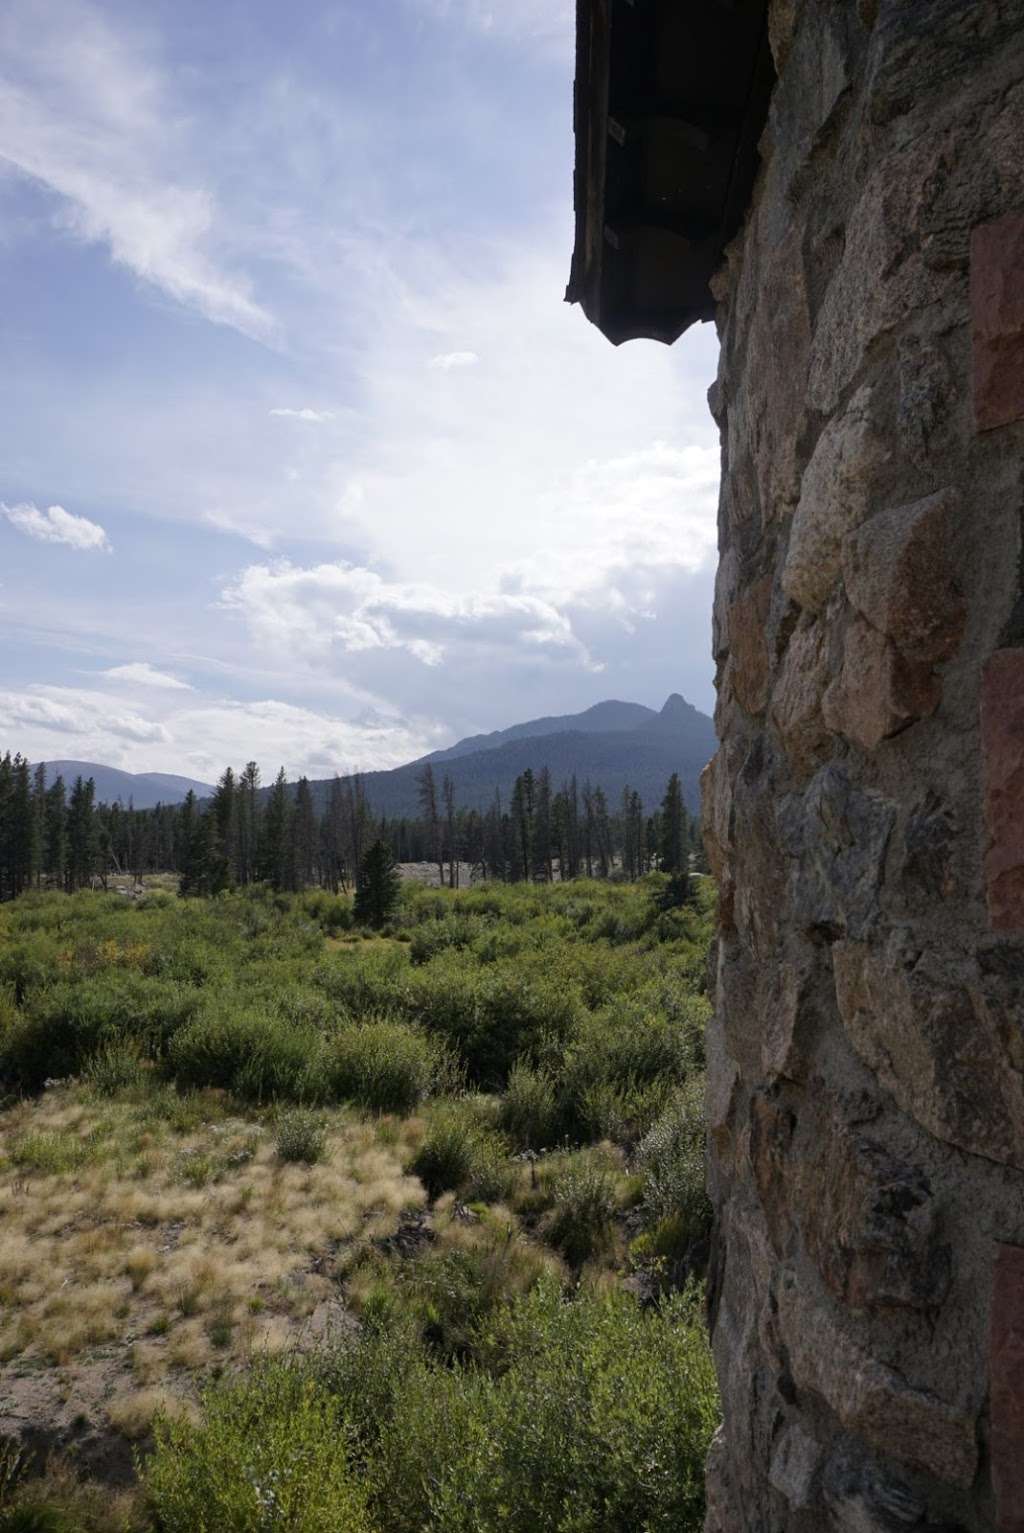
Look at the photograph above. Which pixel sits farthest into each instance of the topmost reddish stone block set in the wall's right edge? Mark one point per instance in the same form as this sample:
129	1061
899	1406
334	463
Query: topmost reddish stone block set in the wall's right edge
997	315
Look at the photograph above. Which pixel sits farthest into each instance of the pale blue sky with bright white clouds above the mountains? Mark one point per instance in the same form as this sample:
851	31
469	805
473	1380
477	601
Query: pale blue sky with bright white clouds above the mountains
303	456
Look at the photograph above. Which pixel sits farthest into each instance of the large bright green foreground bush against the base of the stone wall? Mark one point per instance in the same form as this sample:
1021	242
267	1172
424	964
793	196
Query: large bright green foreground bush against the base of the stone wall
591	1416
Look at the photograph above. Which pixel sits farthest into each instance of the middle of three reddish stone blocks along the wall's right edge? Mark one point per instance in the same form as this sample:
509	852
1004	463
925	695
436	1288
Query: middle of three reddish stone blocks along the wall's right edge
1003	753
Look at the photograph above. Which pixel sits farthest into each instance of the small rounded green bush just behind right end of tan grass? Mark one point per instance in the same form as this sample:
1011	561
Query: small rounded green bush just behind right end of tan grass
387	1068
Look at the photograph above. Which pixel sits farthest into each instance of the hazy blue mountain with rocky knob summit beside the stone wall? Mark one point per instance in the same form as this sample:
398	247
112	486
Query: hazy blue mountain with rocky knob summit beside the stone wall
615	746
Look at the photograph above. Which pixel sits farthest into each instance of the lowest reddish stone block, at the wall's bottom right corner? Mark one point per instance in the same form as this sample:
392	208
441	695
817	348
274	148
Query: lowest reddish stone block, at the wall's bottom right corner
1006	1382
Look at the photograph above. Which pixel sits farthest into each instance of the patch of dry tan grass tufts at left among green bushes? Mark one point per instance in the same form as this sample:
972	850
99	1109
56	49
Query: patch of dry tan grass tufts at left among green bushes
174	1230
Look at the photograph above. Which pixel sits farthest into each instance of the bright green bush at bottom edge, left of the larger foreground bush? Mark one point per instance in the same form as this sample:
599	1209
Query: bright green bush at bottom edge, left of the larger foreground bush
271	1453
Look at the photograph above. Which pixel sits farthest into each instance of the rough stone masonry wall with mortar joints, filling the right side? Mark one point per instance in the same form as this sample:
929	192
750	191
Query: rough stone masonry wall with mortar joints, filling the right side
865	813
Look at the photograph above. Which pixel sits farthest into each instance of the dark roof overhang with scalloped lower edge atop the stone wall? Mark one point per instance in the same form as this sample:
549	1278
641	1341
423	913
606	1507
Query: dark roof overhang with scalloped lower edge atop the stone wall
671	102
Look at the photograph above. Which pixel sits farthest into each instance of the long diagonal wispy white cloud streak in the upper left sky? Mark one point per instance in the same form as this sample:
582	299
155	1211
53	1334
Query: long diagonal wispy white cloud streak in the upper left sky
87	114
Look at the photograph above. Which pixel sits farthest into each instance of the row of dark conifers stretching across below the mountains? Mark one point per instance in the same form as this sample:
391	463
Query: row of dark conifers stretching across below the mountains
57	836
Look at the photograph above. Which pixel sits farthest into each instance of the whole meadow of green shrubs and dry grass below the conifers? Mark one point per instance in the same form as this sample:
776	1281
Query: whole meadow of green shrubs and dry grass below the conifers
317	1229
